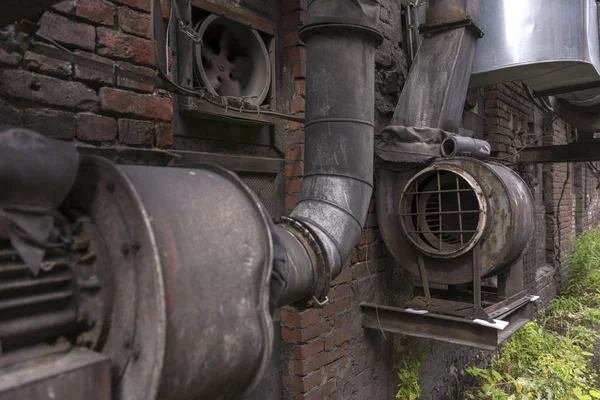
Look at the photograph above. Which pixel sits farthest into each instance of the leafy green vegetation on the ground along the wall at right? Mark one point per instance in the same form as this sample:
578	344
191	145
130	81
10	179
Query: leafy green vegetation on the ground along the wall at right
551	358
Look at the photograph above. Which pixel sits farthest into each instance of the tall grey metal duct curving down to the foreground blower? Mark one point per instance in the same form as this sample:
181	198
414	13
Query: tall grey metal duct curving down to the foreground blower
340	38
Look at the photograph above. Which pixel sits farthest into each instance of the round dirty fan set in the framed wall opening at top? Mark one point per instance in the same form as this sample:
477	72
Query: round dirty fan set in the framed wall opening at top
232	60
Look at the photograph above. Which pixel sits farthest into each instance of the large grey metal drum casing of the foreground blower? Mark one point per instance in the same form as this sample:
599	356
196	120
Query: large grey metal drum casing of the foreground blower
191	254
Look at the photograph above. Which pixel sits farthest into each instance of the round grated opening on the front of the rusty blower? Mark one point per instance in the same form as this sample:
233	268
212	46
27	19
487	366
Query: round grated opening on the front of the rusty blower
443	212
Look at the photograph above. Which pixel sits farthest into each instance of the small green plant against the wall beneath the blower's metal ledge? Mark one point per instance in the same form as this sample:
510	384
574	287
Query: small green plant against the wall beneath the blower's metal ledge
409	387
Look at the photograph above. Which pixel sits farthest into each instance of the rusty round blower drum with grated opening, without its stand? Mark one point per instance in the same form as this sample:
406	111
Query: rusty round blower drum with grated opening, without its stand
441	212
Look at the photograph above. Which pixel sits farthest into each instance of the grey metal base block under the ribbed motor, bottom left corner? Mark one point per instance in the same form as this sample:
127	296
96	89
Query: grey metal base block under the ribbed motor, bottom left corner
77	375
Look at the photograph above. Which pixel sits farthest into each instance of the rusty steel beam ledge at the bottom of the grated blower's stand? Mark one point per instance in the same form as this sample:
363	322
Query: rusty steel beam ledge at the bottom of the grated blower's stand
461	331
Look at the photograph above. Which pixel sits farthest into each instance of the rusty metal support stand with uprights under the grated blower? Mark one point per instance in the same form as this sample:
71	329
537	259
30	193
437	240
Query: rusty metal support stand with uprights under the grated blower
449	318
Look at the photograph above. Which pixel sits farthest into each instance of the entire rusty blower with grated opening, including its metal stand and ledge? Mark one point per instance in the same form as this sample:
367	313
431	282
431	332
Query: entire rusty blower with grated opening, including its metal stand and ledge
454	223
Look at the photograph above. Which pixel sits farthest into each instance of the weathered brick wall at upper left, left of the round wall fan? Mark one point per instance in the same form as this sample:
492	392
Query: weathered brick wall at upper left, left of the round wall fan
76	103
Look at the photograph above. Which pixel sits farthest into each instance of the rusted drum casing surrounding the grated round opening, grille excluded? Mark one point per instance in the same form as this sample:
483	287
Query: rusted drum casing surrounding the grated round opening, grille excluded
506	233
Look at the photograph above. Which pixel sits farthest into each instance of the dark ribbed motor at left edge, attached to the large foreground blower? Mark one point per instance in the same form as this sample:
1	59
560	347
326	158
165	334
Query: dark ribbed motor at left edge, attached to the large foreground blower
65	298
